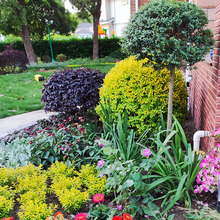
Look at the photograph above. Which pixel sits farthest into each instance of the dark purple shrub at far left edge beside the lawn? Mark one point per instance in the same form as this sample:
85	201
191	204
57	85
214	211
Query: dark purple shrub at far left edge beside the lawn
12	61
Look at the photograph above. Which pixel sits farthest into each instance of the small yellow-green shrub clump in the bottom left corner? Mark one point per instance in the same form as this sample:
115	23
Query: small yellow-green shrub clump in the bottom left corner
6	206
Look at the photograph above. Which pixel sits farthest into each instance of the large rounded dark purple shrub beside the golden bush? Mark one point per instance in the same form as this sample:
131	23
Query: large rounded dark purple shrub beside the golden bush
72	91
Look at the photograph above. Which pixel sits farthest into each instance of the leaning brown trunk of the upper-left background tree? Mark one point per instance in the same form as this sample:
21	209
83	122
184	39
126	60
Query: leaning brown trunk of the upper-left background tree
28	44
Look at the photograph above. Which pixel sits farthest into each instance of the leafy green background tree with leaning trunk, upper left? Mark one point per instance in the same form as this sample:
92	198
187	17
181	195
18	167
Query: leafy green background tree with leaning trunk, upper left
28	17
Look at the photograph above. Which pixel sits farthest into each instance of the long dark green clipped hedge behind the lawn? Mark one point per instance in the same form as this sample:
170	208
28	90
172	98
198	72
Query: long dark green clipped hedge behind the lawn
73	48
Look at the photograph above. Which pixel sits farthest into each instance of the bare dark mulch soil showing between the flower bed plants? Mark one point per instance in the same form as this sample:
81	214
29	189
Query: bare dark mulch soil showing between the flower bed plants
179	209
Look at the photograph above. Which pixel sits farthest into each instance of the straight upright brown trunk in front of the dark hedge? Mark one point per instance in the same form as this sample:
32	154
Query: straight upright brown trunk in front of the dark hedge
96	17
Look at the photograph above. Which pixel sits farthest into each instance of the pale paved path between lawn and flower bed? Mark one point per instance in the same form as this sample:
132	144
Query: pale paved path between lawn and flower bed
17	122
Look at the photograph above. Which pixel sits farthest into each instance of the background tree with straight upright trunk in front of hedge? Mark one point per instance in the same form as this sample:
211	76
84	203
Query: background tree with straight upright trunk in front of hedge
94	8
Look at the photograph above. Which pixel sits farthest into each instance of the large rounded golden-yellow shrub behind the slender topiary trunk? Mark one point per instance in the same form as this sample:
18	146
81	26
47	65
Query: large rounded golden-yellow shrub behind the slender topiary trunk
135	85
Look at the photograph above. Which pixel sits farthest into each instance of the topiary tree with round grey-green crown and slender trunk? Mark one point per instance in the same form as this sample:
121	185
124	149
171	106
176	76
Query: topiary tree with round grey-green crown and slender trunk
172	34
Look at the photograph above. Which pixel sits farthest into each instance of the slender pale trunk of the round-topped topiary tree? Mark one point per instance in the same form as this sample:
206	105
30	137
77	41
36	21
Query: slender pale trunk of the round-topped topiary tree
170	101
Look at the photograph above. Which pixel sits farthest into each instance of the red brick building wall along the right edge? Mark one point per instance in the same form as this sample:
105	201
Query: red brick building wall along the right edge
205	86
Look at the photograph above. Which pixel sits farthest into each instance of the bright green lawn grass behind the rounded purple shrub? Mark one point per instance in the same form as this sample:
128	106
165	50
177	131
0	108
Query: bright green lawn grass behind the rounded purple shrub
20	93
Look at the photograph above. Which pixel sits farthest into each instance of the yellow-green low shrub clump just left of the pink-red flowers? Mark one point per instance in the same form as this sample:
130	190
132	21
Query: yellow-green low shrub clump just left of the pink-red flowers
68	188
